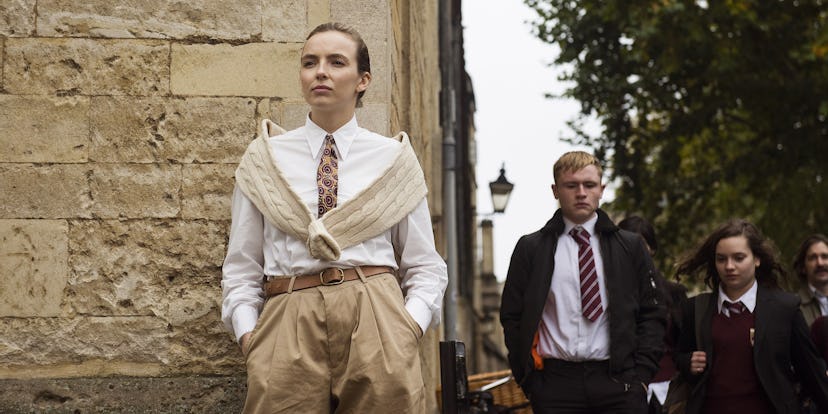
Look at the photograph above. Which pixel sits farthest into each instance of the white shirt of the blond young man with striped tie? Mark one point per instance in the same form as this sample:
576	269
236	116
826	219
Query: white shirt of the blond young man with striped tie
565	333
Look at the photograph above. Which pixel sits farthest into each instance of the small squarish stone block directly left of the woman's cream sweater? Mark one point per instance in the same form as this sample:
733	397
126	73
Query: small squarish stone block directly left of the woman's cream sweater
206	191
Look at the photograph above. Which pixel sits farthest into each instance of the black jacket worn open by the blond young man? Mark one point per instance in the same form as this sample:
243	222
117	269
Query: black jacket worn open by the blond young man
636	317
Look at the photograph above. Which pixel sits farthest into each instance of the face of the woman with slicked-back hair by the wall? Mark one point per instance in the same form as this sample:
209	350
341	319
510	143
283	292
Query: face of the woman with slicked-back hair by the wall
328	74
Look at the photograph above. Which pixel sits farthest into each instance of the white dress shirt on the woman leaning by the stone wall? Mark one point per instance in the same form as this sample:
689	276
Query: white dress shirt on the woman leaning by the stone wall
256	248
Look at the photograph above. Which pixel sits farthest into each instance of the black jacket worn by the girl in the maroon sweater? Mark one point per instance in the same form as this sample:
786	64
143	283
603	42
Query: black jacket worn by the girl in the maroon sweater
782	351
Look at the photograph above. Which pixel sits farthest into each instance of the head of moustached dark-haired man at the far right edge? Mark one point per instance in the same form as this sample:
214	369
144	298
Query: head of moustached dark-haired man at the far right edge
811	266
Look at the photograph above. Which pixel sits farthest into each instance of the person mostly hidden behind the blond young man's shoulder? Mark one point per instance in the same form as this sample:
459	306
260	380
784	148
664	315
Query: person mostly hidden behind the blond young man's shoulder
674	294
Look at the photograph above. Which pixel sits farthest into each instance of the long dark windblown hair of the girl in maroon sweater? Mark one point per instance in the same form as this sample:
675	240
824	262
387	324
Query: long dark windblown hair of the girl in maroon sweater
703	259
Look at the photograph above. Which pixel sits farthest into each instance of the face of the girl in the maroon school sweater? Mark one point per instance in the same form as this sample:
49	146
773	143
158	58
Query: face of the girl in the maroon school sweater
736	265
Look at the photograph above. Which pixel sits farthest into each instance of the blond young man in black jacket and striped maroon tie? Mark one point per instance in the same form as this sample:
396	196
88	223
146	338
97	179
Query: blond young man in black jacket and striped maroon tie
581	315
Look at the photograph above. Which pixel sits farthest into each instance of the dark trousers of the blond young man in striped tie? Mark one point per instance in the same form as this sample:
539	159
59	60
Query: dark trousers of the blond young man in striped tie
565	387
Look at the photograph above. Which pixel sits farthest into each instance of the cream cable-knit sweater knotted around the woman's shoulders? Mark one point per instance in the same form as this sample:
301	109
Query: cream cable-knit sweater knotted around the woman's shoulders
390	198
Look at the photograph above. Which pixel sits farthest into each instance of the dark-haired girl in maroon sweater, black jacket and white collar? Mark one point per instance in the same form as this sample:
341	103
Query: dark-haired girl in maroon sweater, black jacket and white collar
754	341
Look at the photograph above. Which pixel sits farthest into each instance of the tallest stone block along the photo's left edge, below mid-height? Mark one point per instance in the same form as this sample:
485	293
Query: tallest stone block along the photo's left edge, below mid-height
33	266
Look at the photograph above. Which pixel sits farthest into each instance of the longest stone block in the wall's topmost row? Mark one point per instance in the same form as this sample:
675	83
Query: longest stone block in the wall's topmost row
199	19
